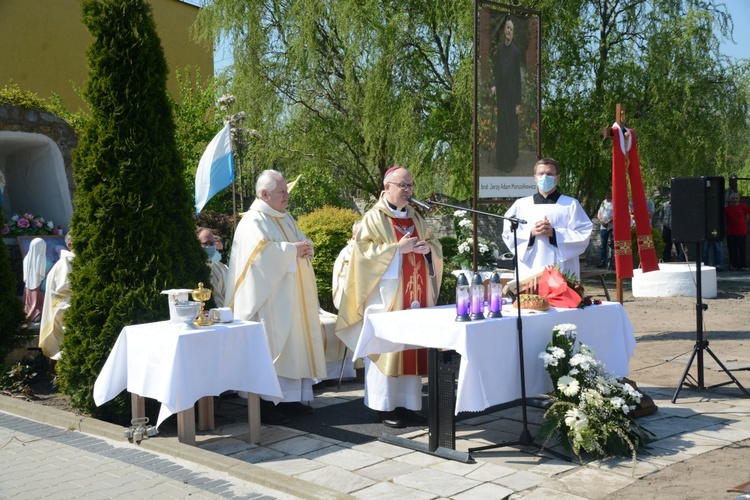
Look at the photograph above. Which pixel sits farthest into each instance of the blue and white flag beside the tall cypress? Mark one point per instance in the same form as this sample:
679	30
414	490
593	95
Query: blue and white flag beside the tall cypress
216	168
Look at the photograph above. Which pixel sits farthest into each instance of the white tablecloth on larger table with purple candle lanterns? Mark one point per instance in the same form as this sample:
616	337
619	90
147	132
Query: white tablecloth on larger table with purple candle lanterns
489	372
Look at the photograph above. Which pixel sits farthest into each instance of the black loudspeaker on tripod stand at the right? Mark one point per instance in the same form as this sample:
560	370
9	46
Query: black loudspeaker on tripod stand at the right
697	209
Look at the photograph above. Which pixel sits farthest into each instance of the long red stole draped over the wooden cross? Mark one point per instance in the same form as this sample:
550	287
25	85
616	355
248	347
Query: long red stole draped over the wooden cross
625	164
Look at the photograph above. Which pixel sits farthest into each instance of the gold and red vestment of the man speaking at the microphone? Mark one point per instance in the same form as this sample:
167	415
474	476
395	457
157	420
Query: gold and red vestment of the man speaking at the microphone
371	288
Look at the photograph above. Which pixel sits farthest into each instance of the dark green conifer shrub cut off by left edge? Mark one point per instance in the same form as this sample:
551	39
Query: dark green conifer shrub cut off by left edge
11	308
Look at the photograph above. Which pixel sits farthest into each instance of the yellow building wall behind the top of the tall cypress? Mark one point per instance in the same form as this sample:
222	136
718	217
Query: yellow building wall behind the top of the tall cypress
44	46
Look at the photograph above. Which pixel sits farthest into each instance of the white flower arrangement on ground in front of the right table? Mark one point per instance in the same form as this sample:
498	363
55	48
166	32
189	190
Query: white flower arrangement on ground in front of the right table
591	408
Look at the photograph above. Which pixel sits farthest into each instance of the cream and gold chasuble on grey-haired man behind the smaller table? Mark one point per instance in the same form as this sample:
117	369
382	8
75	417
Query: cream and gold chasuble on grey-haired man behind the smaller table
269	284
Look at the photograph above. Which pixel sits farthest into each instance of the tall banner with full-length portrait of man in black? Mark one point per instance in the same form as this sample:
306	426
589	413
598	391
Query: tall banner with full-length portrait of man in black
507	104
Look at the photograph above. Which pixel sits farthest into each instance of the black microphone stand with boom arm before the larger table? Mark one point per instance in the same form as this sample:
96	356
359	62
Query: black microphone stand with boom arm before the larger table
525	439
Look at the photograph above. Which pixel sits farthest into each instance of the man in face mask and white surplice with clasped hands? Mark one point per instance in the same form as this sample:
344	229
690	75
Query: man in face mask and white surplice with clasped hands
557	229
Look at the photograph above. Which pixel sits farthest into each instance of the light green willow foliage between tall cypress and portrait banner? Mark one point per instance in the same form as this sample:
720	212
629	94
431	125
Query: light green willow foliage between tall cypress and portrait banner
346	90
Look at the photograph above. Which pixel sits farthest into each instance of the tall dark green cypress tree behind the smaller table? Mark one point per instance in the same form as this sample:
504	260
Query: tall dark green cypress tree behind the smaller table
132	223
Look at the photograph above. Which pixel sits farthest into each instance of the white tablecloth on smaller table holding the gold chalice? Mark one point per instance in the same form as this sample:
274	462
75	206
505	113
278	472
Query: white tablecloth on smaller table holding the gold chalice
178	367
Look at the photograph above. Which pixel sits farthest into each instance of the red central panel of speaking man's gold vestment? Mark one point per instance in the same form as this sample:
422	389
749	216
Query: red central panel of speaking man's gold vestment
414	291
